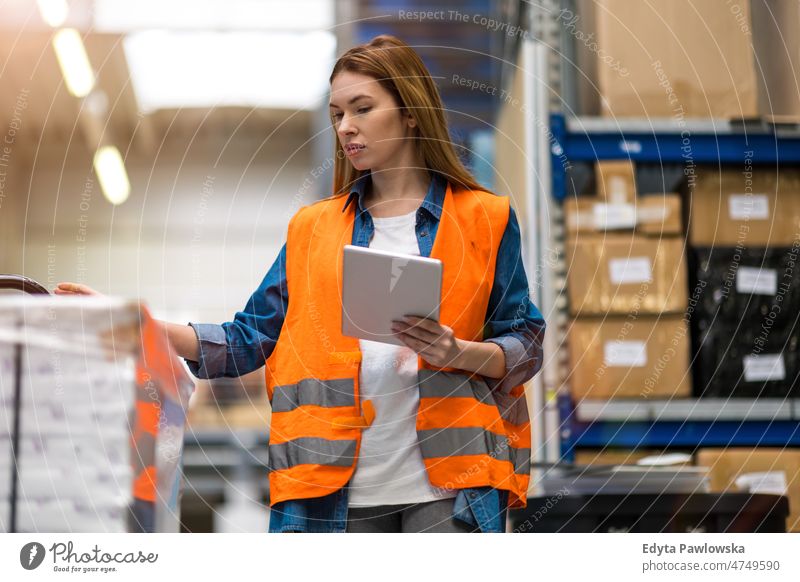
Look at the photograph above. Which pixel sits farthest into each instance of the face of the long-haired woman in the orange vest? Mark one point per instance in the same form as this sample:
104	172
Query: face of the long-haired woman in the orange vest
371	127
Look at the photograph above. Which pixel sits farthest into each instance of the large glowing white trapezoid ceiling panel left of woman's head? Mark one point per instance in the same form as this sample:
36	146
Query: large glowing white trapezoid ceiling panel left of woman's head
171	69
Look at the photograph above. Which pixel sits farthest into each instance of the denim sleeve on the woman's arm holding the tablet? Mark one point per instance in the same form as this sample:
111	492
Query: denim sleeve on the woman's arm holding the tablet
512	320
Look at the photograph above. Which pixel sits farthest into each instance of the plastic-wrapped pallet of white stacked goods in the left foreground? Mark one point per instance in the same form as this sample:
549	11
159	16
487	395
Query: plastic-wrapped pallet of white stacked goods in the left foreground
92	412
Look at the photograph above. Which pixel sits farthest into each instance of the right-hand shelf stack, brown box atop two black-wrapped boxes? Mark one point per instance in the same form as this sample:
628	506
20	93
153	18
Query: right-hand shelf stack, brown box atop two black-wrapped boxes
745	237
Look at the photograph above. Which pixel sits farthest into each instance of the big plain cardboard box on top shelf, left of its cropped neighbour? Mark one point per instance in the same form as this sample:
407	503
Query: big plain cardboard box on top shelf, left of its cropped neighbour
676	59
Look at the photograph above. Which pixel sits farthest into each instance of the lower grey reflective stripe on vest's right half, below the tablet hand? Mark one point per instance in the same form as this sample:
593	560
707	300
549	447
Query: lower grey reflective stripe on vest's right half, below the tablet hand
454	442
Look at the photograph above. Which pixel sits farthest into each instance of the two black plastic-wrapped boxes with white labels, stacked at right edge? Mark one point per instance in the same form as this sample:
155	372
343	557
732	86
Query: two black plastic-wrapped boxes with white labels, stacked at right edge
747	305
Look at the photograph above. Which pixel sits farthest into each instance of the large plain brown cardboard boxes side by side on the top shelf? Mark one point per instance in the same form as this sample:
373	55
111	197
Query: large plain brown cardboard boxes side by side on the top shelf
696	60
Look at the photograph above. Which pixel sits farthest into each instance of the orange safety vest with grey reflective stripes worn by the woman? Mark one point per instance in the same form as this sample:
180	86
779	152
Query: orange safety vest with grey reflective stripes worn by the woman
469	436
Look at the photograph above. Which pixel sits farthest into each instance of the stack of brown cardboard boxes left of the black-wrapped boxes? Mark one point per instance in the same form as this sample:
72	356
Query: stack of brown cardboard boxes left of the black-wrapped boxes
627	285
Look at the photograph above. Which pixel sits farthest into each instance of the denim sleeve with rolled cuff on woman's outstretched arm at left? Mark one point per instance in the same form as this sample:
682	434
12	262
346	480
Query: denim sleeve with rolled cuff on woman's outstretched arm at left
243	345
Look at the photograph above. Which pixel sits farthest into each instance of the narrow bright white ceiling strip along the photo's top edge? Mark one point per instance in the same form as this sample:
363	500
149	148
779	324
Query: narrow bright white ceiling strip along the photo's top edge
126	15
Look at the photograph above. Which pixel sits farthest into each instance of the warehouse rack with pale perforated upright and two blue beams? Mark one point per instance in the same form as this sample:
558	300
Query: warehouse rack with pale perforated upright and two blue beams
571	140
